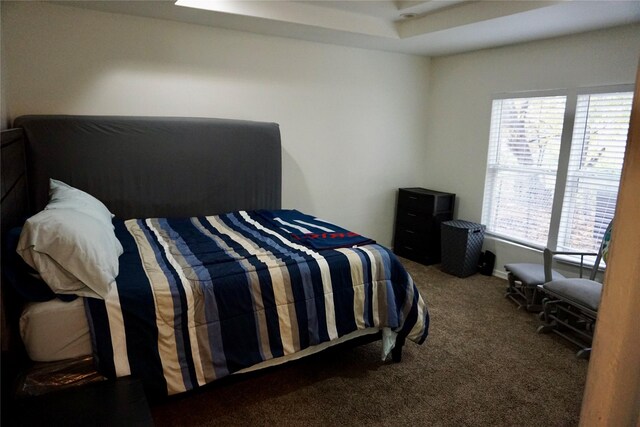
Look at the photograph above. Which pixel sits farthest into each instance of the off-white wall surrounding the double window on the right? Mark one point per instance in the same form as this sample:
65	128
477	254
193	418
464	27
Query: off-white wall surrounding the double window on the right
460	95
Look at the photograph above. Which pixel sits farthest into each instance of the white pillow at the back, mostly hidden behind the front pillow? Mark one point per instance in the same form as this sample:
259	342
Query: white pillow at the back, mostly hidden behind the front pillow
64	196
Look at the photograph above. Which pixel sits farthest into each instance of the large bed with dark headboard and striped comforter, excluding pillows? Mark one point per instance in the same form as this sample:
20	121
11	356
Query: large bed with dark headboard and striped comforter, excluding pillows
214	277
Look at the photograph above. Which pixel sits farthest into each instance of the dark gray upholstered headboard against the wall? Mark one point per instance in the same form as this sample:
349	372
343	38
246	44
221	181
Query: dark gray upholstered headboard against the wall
156	166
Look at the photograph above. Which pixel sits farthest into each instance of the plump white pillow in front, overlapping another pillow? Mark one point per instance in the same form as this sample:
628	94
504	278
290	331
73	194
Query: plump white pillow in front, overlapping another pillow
74	252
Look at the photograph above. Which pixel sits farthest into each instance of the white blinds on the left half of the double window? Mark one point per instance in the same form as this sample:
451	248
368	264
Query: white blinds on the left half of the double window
522	163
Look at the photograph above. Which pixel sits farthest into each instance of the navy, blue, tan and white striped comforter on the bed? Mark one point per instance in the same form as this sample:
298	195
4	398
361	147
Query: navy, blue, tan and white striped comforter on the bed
200	298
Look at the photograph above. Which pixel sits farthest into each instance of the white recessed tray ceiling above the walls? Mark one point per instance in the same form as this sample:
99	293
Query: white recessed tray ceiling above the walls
429	28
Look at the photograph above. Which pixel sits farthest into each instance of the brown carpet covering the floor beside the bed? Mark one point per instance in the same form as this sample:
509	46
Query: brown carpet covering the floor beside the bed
482	365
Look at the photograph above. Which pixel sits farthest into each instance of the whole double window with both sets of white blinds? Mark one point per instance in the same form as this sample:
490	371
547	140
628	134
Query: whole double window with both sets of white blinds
554	166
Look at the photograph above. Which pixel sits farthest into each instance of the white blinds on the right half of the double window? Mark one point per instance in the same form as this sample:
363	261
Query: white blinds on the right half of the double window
595	164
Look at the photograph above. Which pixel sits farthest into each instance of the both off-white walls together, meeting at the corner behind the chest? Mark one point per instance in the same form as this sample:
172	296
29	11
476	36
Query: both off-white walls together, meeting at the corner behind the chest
356	124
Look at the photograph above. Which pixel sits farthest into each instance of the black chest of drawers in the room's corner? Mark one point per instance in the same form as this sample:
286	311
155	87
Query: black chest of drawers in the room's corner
419	214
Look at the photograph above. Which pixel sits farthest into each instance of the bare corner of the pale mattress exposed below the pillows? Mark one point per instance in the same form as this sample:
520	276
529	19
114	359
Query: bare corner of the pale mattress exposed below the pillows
55	330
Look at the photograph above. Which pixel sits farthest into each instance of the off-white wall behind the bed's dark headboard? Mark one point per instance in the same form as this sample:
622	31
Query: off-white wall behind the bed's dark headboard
352	120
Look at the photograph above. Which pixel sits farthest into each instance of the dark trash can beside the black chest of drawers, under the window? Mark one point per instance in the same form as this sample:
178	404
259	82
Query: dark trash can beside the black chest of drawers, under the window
461	244
